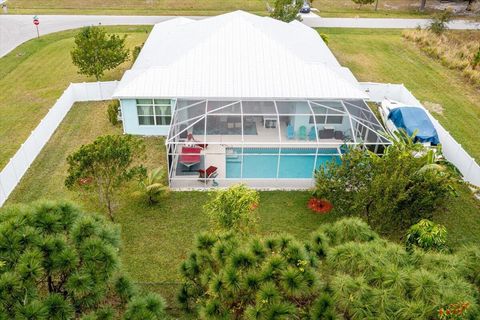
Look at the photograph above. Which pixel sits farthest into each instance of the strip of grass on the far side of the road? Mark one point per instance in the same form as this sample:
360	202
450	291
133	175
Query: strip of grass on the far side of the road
327	8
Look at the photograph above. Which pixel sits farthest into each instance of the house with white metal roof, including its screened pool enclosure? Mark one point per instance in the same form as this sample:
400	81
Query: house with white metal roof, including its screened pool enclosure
243	98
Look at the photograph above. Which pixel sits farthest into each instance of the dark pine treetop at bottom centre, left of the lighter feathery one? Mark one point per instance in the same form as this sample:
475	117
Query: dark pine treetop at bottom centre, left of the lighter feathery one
230	277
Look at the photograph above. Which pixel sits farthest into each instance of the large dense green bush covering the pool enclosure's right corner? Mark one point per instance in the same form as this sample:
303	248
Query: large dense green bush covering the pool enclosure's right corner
395	190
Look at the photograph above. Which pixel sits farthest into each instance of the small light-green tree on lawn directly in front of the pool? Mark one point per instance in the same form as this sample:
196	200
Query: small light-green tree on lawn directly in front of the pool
233	209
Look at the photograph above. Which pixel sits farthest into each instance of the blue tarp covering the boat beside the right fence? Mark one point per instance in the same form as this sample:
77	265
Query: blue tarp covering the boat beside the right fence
411	119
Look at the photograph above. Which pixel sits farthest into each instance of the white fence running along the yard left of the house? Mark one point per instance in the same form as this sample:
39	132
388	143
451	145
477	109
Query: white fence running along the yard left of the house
13	172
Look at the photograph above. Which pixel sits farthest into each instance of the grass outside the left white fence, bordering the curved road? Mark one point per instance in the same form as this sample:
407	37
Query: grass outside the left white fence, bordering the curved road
34	75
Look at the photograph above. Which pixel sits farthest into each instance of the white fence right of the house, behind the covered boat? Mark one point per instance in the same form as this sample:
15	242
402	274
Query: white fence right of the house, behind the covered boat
452	150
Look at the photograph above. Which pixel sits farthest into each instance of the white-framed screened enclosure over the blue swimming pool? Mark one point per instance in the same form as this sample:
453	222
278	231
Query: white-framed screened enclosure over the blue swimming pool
265	144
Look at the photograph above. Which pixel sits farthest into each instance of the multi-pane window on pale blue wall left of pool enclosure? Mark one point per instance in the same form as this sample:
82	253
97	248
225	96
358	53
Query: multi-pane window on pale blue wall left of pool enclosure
154	112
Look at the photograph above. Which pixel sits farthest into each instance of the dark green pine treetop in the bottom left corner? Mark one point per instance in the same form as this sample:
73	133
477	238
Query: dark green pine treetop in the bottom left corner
60	263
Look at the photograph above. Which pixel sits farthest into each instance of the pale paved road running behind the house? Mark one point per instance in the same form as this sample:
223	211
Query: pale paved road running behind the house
16	29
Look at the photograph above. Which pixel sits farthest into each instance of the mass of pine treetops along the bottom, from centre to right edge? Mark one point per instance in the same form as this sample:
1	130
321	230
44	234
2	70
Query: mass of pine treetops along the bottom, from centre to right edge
345	270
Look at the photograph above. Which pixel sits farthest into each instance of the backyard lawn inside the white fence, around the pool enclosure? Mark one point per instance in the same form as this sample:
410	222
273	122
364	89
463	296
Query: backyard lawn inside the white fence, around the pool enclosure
157	239
